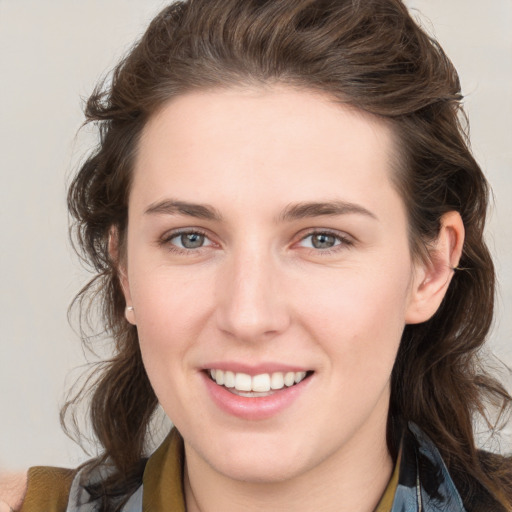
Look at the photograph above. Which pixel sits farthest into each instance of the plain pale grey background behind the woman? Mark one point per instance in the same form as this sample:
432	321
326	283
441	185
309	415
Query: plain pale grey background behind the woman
52	52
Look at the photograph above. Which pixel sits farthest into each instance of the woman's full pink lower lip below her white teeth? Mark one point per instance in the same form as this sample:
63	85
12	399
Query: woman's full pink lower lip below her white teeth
254	408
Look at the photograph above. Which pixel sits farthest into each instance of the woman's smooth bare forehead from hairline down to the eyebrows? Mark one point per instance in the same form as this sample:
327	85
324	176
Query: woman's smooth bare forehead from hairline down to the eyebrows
232	142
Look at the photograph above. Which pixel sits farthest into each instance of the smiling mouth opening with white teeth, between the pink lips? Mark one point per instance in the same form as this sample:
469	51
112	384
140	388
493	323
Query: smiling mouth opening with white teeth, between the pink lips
264	384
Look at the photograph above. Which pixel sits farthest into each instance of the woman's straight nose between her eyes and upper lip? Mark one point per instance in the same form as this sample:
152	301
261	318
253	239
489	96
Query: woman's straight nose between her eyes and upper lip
251	301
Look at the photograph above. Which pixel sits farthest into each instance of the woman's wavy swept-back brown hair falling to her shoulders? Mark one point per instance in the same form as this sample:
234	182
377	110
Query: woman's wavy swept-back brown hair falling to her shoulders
369	54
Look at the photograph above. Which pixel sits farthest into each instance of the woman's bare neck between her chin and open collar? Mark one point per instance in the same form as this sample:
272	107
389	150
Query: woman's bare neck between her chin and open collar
352	479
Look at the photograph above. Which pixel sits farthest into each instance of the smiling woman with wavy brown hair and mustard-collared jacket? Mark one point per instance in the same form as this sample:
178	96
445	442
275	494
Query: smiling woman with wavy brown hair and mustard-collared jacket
287	226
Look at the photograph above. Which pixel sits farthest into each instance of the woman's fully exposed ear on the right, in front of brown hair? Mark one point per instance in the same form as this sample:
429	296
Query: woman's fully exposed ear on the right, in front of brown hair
433	277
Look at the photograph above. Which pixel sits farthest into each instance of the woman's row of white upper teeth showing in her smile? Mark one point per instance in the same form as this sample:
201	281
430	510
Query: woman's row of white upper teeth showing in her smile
263	382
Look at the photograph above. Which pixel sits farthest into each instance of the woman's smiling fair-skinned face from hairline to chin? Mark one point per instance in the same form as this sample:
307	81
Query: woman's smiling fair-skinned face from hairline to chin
268	247
